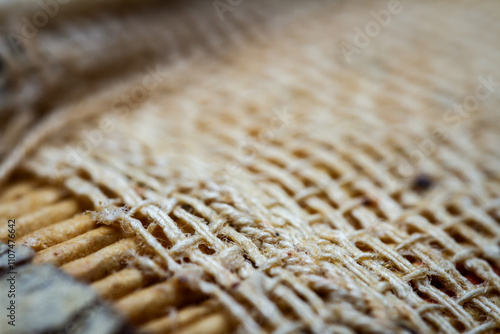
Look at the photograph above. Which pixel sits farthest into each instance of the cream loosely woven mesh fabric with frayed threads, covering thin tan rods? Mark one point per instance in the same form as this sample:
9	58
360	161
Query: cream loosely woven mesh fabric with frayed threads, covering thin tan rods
272	180
